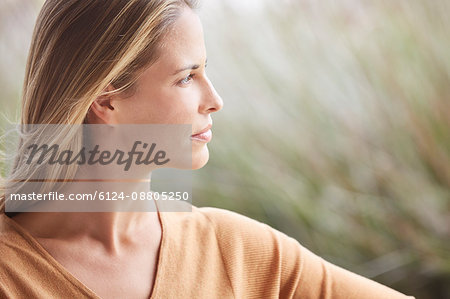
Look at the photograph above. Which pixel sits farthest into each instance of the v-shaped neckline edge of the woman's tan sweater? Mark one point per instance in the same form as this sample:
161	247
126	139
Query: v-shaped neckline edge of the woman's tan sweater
75	281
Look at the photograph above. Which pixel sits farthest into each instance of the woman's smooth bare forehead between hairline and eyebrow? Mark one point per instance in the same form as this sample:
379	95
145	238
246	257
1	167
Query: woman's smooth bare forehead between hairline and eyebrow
183	43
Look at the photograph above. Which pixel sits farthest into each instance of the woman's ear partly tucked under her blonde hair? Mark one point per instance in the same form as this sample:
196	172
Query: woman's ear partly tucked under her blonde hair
102	109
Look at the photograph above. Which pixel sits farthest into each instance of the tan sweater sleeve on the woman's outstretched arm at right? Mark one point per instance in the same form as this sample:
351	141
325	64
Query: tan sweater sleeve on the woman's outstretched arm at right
262	262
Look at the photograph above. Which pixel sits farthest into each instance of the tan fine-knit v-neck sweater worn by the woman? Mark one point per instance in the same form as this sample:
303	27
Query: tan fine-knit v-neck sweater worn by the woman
206	253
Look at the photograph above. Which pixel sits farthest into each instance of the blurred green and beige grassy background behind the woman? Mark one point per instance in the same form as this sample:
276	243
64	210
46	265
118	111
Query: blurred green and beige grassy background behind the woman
335	127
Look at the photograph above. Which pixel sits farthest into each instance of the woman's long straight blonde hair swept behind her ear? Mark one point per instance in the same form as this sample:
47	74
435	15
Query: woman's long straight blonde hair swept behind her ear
80	47
